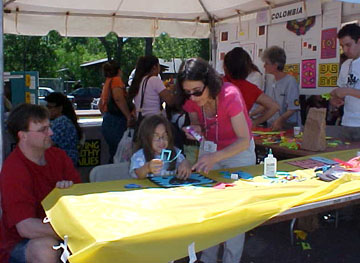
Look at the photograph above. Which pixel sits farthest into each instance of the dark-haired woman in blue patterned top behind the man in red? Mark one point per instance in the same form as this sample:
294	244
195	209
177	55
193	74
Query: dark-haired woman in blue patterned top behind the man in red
66	130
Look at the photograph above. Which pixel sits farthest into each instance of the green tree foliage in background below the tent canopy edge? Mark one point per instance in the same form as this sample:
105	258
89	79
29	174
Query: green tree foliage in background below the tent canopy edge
57	56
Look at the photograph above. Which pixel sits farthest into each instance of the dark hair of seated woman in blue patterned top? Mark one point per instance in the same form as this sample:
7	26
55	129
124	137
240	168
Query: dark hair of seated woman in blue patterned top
67	108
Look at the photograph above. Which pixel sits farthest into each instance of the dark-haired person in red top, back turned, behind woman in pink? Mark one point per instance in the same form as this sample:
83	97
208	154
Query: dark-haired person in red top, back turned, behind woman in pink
237	67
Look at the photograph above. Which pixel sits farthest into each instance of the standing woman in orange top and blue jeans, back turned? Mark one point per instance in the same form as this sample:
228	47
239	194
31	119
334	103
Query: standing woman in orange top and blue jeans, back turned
114	124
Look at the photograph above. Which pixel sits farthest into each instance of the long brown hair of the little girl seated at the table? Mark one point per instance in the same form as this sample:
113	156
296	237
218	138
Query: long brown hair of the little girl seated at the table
146	135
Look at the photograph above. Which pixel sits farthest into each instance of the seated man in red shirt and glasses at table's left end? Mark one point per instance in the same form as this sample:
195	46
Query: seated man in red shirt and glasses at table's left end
30	172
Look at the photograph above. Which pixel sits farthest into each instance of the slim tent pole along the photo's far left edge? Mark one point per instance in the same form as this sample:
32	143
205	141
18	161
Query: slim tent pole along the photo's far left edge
2	109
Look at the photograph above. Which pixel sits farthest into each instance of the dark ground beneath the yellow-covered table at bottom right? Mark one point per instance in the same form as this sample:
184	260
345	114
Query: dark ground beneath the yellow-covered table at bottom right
271	243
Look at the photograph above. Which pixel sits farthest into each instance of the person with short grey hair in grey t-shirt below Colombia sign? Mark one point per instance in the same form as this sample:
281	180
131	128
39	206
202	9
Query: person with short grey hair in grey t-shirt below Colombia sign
285	90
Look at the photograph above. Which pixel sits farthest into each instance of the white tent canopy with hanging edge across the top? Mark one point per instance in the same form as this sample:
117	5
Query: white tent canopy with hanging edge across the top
128	18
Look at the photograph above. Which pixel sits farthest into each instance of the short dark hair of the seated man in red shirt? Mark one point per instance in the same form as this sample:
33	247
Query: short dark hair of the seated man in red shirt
20	117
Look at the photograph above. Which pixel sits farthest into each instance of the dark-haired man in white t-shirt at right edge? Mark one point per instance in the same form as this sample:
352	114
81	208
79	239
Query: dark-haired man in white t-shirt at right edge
348	93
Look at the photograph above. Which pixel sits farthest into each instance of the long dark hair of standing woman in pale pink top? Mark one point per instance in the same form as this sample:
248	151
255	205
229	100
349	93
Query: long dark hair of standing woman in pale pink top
144	66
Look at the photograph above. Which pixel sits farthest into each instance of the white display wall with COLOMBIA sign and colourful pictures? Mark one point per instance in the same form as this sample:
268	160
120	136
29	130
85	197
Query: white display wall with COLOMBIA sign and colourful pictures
316	47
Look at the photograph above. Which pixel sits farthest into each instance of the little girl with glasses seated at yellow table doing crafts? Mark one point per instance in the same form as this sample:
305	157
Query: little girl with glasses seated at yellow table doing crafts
155	136
